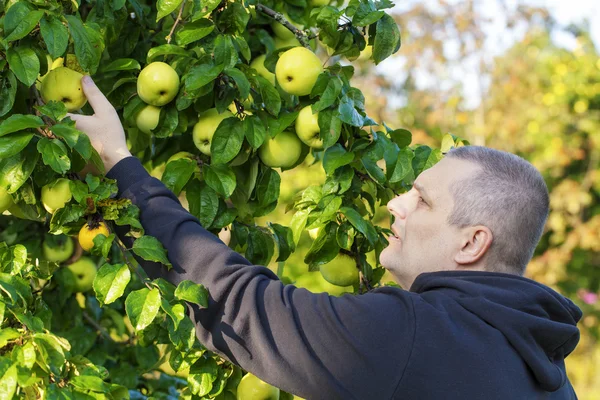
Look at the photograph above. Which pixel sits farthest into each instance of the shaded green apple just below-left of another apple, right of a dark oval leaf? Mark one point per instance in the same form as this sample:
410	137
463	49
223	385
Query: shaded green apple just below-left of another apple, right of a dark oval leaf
282	151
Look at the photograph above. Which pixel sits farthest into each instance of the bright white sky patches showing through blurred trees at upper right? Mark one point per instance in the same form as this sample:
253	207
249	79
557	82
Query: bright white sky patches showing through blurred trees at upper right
565	12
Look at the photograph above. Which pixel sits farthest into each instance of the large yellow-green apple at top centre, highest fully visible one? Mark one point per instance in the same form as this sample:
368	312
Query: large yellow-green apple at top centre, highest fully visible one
297	71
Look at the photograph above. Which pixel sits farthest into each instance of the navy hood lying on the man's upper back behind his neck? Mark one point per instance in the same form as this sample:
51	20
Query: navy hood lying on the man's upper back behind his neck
537	321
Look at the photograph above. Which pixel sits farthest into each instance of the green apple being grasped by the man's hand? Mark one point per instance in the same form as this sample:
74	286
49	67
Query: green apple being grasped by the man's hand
64	84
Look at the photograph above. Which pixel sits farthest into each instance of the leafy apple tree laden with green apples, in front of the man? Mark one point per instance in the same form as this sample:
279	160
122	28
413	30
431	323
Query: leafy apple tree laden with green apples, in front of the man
218	100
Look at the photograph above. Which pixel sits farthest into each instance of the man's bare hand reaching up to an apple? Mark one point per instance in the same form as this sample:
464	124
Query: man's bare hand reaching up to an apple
104	127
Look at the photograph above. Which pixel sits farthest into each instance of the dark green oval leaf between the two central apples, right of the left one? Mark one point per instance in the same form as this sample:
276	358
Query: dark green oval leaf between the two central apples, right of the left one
227	141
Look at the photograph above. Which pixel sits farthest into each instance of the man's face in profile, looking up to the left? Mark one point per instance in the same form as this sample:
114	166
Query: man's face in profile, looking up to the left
422	239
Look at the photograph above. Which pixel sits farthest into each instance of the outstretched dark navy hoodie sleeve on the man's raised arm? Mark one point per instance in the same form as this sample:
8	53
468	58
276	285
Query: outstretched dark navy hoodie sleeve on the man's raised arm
314	345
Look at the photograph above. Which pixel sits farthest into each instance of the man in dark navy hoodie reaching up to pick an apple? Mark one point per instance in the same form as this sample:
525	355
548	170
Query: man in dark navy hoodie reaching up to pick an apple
470	327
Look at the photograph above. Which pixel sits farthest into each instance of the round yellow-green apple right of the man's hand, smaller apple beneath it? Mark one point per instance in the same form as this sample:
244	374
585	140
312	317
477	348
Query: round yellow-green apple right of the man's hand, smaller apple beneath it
158	84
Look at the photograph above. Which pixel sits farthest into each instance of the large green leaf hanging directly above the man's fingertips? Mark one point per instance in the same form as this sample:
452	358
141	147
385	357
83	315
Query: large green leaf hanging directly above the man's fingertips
88	44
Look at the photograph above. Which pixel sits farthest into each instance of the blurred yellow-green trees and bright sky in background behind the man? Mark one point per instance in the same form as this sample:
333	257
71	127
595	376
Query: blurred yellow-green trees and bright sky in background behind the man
522	91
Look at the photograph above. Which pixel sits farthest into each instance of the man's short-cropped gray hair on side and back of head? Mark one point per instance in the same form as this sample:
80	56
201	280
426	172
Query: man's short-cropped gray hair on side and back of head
509	196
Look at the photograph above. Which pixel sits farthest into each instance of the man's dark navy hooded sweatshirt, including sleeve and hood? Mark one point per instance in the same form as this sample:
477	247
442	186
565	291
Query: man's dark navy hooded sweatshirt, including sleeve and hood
453	335
